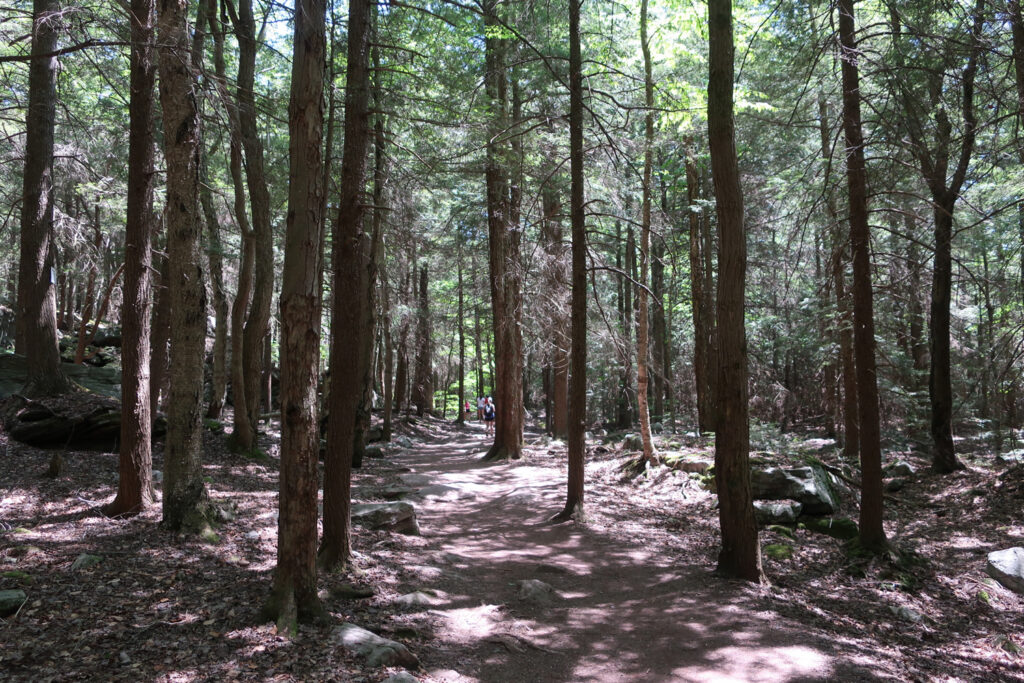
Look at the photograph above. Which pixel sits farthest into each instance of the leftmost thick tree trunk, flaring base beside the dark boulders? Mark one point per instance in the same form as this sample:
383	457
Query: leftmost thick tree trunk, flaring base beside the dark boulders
37	320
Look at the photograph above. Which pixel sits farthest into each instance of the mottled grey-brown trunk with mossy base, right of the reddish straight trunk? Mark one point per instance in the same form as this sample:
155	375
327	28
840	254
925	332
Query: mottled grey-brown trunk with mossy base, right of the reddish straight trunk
185	493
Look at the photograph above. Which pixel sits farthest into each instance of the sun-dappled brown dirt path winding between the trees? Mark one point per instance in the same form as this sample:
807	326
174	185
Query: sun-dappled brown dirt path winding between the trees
629	609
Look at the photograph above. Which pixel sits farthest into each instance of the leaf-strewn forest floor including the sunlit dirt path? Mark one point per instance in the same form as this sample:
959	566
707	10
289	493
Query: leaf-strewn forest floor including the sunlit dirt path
635	599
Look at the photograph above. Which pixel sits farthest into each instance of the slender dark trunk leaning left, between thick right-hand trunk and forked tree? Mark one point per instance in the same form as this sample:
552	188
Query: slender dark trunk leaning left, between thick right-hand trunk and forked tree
873	536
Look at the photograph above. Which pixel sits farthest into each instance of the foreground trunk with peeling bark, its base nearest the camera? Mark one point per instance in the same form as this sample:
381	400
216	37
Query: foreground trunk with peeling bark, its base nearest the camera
294	597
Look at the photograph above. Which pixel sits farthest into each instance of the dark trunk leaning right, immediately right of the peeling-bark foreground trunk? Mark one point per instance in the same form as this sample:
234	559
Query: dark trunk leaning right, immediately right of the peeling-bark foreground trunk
349	296
